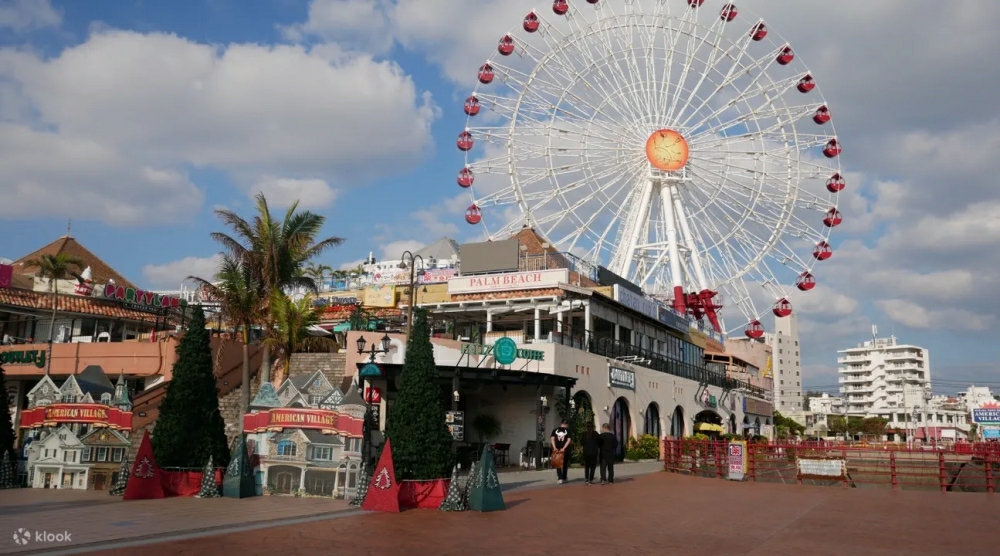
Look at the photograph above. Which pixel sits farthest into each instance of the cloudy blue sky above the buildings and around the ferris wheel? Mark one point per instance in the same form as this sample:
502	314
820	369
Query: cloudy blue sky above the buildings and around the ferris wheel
137	119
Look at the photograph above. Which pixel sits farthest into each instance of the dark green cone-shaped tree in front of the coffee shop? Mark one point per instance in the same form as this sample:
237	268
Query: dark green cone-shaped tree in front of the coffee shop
421	444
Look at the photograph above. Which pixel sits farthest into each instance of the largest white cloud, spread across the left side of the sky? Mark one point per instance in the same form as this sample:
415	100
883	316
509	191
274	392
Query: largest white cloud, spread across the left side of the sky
115	122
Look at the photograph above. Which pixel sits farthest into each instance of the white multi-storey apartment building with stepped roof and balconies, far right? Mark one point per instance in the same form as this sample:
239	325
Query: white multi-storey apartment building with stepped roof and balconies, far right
874	375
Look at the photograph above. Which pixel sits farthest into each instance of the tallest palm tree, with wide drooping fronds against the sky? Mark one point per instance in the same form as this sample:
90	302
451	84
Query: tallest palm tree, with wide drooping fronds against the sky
275	251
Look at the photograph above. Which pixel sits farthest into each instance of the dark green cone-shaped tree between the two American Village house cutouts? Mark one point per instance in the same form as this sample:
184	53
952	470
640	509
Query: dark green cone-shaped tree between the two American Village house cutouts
190	428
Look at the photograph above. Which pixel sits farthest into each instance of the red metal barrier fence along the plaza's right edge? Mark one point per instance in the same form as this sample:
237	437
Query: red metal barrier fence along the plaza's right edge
961	468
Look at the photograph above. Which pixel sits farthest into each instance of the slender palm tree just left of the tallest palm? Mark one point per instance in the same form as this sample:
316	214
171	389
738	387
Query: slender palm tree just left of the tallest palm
238	294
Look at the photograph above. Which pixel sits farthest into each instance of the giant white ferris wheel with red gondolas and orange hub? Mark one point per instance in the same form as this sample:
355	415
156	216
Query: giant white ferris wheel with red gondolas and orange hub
679	143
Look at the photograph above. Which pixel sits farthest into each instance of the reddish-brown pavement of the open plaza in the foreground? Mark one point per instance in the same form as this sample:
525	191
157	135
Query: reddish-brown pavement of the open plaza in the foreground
654	514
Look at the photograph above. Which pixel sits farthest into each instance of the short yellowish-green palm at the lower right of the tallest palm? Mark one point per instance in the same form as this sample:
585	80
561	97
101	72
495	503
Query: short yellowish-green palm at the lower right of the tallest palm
292	321
